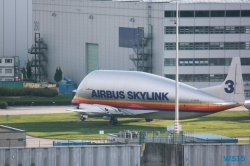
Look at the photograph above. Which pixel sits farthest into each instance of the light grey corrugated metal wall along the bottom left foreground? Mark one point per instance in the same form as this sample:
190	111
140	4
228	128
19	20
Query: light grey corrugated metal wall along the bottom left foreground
122	155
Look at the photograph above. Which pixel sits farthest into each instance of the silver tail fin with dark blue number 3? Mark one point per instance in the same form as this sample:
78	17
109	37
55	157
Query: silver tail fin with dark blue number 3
232	88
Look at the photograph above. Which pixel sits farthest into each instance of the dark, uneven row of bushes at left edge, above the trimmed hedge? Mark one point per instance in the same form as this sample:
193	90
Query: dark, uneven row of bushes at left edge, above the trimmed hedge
39	92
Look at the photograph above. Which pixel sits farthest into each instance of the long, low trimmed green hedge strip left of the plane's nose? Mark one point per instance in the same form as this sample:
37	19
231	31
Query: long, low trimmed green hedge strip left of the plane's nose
38	103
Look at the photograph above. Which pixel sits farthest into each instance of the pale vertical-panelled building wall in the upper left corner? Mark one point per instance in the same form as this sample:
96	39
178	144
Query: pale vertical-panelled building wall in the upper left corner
15	29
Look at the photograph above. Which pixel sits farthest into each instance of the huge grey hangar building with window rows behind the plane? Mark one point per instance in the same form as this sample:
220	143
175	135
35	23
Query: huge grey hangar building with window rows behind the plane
83	36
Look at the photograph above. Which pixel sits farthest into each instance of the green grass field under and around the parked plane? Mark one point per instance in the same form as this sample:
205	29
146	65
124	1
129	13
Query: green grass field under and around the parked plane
68	126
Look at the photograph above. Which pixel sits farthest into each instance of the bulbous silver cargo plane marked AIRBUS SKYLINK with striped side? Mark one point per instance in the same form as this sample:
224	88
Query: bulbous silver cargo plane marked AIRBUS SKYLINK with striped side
111	94
